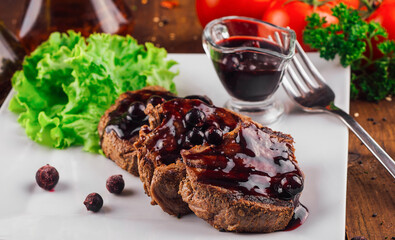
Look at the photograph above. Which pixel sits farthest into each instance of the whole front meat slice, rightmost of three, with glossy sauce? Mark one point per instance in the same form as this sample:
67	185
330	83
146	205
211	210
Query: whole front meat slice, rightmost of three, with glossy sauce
249	183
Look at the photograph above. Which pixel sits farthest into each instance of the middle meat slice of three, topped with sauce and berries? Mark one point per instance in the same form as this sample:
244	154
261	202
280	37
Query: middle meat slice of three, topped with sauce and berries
175	125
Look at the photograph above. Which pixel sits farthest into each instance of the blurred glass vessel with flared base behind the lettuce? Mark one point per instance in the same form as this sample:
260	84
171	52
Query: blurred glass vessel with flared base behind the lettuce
42	17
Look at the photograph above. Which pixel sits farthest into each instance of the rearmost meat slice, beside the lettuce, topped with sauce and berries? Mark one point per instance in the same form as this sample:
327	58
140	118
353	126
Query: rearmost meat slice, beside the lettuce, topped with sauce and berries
118	130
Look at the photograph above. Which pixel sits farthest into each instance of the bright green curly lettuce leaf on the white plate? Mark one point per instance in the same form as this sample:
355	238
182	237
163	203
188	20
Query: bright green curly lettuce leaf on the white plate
68	82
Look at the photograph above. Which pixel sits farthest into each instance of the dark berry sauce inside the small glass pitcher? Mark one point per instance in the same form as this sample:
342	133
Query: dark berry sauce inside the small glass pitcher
249	75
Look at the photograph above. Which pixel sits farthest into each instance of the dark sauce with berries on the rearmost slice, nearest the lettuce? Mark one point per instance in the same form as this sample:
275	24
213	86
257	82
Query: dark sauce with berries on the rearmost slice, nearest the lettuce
127	119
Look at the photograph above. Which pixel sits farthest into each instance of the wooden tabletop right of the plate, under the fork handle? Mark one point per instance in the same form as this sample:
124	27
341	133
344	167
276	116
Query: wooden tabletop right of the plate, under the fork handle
370	188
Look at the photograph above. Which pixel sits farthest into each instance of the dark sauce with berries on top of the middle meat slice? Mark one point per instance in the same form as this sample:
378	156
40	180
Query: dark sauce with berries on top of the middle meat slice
183	124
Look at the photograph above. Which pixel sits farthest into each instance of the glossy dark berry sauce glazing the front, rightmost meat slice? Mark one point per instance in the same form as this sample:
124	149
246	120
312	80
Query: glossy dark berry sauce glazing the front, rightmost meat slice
251	162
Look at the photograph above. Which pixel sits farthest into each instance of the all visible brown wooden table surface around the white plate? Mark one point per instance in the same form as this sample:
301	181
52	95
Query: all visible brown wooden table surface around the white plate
370	188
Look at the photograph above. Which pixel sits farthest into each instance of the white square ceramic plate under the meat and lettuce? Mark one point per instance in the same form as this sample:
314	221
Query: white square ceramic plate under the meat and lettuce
28	212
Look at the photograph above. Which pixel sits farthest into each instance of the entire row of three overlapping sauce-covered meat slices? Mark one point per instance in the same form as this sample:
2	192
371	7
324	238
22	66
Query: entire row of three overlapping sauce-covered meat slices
192	156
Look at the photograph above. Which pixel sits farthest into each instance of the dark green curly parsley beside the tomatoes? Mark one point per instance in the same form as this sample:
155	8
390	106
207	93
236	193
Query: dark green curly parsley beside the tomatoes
352	39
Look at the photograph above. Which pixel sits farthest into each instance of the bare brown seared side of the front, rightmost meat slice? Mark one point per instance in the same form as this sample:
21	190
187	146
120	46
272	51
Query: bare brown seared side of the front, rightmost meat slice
231	211
